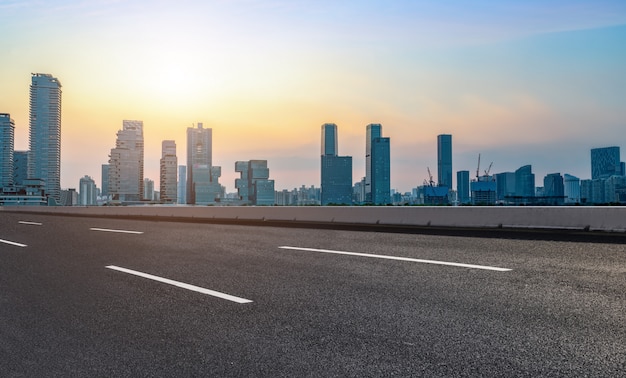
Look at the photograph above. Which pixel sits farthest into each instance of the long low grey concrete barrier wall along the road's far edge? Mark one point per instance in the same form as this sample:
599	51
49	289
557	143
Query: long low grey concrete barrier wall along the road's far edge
593	218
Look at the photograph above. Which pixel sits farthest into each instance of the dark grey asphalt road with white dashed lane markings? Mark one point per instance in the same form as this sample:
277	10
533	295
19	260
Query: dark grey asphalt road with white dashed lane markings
75	301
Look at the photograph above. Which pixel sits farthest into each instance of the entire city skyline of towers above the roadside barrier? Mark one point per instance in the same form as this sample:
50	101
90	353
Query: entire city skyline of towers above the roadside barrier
33	177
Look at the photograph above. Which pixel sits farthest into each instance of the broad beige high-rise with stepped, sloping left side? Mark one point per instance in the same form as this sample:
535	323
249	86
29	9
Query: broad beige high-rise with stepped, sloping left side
126	163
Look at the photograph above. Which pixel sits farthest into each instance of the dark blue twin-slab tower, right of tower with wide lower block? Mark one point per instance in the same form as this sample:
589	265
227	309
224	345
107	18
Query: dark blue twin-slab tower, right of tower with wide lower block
377	166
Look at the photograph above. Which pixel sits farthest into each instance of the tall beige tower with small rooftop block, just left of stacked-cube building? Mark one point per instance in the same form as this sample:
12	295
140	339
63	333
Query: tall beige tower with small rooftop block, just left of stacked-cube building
199	160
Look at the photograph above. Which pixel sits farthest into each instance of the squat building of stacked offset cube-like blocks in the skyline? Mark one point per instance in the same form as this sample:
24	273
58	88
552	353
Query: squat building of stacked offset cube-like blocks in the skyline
254	186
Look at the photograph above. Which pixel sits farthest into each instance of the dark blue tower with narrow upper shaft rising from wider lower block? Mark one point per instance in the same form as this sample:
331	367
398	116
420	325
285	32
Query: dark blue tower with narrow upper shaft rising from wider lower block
336	171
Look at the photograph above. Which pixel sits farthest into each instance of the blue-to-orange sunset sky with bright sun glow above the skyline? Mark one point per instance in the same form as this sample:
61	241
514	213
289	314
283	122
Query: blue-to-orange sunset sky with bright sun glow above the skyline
537	82
